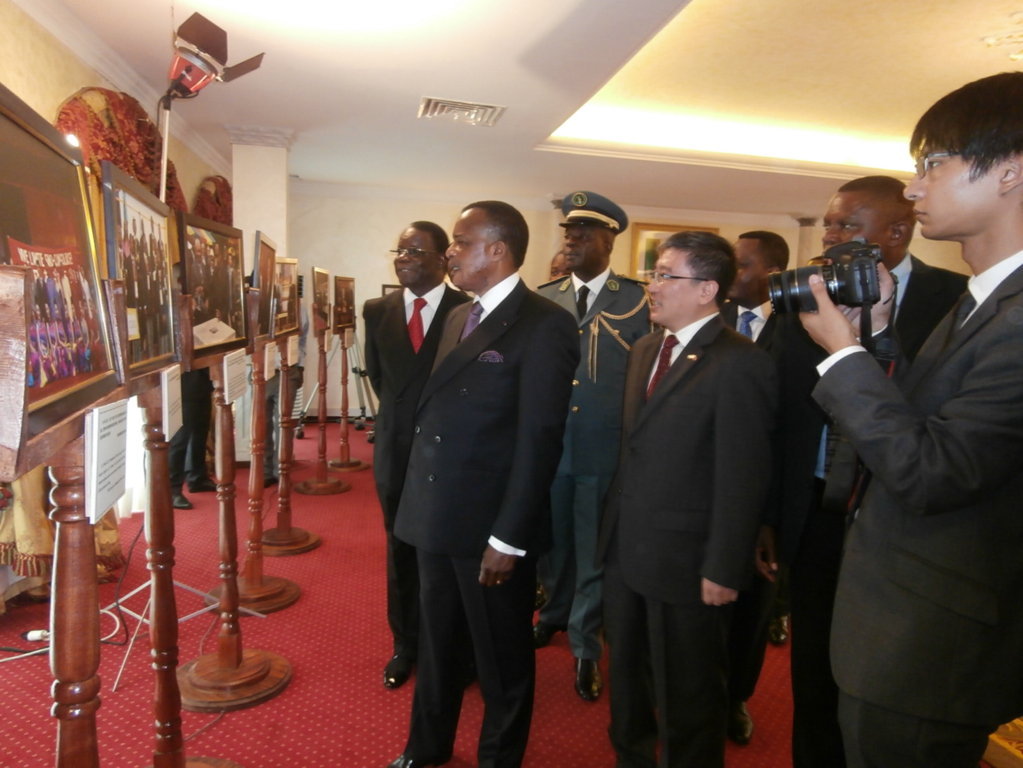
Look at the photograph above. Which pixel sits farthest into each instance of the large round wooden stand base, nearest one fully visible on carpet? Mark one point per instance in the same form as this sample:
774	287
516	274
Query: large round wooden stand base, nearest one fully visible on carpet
206	687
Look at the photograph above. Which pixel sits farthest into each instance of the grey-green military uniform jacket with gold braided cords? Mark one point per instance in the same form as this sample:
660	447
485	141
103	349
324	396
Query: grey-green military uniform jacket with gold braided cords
618	317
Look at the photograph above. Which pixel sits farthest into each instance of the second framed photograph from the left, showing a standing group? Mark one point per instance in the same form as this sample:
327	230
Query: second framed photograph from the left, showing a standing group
139	253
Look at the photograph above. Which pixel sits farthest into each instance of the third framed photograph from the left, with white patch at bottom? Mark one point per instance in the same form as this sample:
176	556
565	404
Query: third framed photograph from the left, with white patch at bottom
213	278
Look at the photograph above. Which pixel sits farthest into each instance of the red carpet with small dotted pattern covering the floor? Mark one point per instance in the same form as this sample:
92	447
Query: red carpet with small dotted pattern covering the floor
336	713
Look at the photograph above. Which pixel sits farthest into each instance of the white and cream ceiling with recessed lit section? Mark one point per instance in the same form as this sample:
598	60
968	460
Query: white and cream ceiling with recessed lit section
348	85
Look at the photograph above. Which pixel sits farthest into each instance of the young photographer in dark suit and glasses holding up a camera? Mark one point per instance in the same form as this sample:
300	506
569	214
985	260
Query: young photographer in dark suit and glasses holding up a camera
928	621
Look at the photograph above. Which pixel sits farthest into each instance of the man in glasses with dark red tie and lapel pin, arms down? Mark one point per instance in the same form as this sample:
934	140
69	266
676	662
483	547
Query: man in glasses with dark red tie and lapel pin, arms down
679	529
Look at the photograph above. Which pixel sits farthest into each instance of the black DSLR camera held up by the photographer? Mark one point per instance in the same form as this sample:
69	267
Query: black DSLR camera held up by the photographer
850	272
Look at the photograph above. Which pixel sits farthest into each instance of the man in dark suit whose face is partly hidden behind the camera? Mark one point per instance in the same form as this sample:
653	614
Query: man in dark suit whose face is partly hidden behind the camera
818	467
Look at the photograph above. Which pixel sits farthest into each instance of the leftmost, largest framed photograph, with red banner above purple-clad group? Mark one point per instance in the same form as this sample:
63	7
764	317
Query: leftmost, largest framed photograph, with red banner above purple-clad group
46	228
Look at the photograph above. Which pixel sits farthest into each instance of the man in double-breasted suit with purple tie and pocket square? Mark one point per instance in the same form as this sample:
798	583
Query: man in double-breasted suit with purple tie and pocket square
476	503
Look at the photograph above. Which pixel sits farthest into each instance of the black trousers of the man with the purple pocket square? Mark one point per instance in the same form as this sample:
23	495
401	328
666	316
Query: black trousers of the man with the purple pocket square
501	624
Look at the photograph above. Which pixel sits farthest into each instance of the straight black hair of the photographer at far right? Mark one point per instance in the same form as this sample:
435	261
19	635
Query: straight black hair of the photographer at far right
983	122
